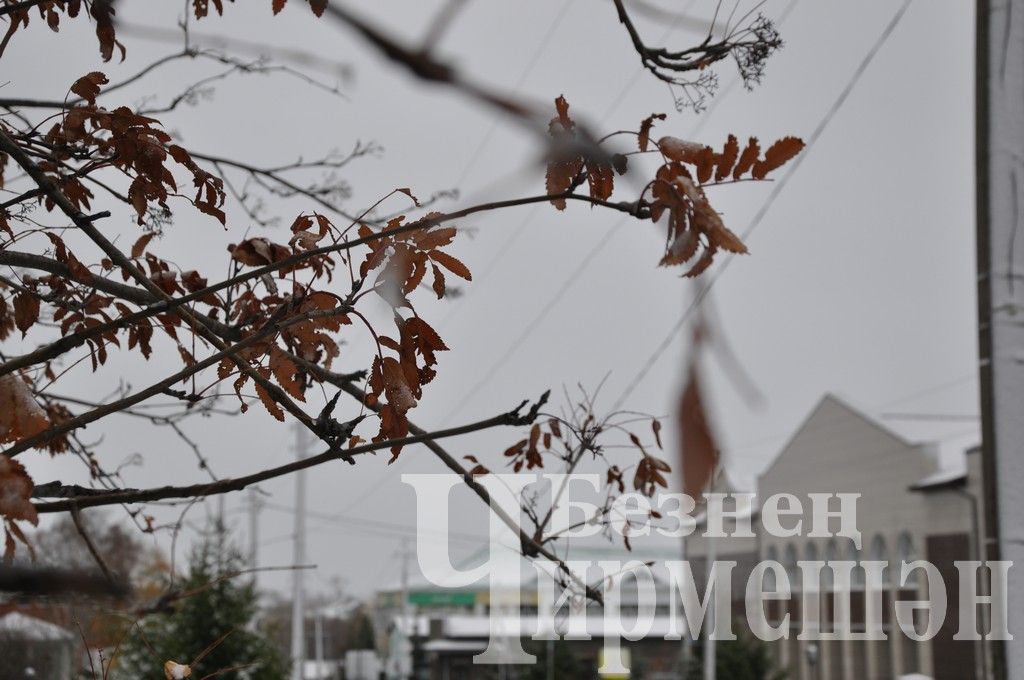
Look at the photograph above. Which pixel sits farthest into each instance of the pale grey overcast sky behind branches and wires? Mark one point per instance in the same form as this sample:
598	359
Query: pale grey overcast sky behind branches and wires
861	279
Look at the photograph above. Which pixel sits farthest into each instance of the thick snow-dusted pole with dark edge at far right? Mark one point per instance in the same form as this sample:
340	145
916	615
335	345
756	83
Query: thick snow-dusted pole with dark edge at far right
1000	148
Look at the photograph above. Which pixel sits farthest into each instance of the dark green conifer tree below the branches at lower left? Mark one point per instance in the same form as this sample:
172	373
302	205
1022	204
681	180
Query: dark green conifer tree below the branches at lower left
217	619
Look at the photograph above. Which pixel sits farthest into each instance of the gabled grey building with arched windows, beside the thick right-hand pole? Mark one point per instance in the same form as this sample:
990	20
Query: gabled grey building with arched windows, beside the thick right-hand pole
913	505
